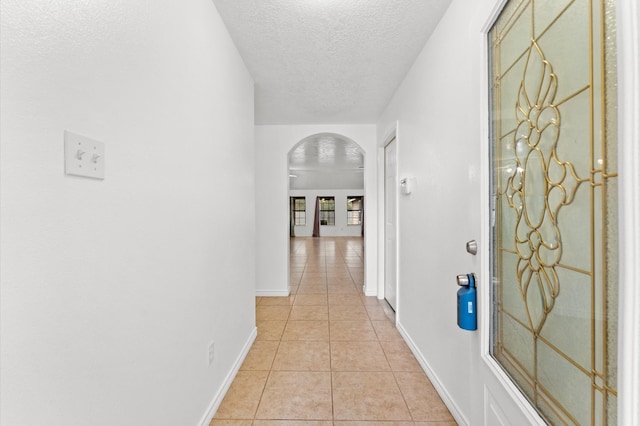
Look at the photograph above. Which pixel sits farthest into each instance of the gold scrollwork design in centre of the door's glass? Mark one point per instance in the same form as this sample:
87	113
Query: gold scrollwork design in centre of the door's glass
538	186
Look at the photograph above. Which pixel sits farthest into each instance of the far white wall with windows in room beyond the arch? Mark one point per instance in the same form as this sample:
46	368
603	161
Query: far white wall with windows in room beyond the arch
340	229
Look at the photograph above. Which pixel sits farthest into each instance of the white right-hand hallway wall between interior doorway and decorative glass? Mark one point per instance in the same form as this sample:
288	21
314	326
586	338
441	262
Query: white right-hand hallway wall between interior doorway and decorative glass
437	108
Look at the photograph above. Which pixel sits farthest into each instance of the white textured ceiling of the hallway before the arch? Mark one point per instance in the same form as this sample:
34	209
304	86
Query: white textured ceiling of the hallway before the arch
327	61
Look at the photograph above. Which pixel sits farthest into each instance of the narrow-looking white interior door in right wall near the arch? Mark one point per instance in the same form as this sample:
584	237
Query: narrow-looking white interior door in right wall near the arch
390	223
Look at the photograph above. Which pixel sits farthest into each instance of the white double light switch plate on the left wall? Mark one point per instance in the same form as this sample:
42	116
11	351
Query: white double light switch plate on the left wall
83	156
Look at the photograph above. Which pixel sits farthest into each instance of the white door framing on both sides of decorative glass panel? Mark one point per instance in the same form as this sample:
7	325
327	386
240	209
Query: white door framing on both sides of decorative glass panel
628	34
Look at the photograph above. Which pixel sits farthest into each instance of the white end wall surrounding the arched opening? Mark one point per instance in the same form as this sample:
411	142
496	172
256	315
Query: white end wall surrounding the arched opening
273	144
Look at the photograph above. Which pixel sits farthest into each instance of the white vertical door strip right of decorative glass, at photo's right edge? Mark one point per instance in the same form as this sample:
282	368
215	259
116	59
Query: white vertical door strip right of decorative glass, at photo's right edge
628	36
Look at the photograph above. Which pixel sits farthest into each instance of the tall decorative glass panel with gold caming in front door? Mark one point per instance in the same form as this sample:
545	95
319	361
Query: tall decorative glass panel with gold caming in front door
554	218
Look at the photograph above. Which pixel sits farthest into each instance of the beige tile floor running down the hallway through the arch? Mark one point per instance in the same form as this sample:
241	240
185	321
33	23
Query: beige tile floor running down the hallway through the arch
328	355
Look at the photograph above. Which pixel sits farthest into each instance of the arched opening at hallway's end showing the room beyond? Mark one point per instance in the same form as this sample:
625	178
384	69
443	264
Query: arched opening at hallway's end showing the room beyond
326	205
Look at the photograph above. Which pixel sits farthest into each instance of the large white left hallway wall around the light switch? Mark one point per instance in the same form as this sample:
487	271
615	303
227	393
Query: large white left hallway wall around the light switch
112	290
